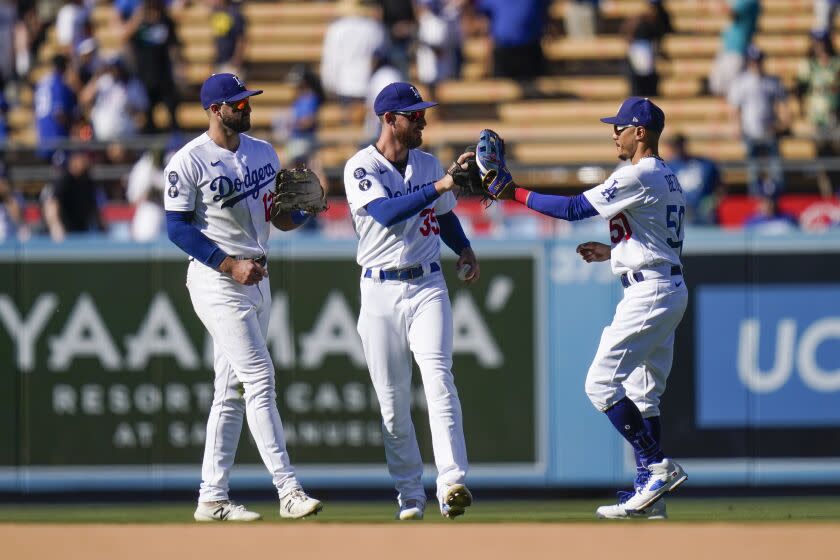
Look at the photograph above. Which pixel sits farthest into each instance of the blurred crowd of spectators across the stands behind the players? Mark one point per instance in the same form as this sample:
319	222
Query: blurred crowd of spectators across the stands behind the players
109	97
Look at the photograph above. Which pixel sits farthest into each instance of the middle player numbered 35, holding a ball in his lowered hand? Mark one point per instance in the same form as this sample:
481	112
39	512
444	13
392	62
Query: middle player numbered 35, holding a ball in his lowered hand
401	204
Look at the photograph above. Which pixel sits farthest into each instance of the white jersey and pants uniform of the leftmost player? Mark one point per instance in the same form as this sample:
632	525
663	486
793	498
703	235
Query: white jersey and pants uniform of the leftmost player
229	195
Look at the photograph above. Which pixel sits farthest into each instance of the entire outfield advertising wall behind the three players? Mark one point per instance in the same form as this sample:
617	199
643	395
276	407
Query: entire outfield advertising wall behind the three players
107	373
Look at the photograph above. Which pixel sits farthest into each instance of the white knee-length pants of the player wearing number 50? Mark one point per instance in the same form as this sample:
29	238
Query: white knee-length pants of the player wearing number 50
636	351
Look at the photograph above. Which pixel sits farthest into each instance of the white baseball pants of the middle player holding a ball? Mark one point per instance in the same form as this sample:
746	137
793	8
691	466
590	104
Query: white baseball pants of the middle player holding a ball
398	319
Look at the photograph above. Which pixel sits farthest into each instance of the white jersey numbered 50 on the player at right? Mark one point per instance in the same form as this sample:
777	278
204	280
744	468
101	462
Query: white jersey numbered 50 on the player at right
645	206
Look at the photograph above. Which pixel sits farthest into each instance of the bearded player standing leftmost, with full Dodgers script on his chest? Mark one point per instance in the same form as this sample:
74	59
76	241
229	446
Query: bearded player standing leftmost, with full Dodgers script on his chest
217	199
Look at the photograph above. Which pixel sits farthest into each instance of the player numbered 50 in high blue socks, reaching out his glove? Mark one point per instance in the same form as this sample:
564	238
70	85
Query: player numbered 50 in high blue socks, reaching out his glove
645	207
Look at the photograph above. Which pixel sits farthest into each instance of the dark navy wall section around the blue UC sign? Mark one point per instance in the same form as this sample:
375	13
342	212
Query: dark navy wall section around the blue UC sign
758	395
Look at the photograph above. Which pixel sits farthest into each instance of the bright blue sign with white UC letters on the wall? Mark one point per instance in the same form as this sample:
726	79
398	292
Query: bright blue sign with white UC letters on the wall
768	356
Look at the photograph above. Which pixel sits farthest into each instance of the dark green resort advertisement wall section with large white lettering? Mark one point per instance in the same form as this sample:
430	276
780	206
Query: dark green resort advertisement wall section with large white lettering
108	371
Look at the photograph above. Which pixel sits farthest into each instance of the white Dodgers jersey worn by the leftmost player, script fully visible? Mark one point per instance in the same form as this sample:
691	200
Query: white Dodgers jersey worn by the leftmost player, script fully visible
229	192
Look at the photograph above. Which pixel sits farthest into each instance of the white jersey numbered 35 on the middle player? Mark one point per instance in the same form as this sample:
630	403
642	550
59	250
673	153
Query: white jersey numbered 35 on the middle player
368	175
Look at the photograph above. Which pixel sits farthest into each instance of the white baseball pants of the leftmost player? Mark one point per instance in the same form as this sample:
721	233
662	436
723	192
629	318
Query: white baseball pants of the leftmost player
237	318
